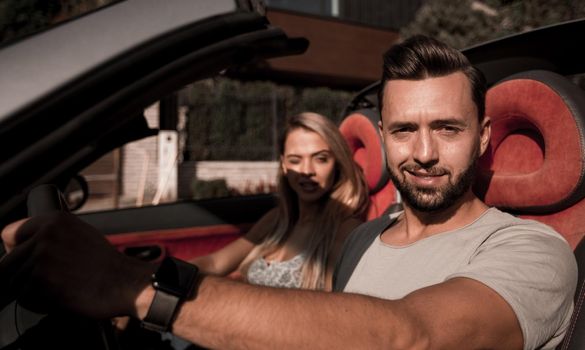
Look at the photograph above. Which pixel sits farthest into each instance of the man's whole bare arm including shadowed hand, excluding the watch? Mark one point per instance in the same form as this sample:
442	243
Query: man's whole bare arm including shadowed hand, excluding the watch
61	260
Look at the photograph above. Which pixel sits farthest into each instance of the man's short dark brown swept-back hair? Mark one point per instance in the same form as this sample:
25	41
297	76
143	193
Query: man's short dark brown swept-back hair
421	57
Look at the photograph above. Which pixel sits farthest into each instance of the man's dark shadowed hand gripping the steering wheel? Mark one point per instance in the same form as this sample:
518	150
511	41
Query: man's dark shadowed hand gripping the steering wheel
57	261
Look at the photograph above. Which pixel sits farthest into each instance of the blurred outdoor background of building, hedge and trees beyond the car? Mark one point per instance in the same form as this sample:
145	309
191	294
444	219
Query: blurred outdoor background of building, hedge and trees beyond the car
219	137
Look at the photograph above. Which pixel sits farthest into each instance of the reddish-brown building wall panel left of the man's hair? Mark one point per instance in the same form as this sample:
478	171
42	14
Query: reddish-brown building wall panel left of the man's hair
340	54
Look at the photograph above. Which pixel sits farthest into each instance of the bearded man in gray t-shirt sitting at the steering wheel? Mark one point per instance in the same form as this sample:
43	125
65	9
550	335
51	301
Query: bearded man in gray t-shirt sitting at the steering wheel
447	272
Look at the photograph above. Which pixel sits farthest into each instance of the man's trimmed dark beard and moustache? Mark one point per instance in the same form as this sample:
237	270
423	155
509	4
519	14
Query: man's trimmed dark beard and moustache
428	199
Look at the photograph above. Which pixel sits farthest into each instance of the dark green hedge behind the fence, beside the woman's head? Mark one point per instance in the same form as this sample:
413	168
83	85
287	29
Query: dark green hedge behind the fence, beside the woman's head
232	120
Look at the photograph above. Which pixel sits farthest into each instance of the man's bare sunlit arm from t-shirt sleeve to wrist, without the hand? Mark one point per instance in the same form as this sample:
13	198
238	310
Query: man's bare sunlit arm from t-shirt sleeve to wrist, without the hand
460	313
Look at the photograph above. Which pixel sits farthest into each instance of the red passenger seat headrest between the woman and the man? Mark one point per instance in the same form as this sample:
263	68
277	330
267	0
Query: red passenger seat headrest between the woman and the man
361	132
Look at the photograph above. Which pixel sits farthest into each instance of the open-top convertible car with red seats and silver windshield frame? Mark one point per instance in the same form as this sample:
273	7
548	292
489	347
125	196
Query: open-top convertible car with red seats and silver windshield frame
75	92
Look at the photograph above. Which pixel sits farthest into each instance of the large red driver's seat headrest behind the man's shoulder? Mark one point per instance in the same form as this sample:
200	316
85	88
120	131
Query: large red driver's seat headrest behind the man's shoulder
535	164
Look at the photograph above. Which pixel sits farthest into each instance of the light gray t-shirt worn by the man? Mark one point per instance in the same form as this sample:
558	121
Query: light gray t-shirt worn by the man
527	263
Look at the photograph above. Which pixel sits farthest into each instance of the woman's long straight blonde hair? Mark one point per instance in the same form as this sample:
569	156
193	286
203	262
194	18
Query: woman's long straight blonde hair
347	198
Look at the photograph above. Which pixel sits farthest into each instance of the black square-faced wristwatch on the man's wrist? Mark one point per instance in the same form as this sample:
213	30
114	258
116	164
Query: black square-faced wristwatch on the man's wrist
174	282
